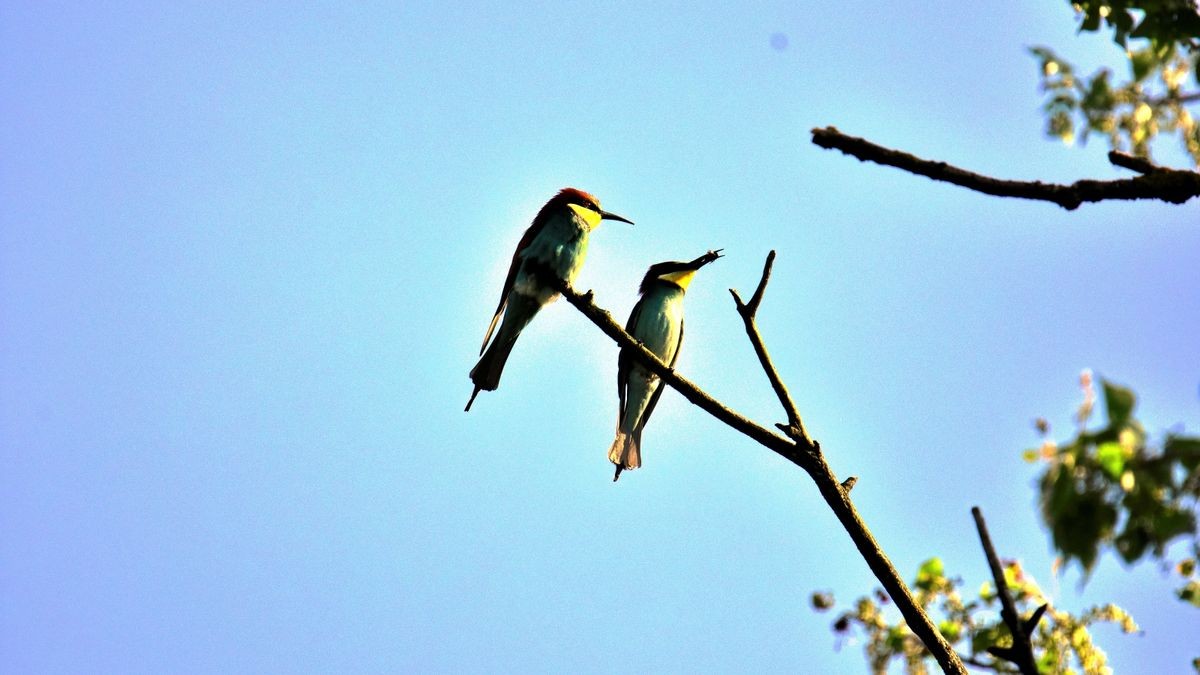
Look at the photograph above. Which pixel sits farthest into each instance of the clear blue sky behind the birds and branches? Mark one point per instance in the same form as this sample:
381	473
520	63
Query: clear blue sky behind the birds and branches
248	256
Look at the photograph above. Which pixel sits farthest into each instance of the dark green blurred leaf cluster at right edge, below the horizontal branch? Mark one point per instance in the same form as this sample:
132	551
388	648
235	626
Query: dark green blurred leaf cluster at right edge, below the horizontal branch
1111	488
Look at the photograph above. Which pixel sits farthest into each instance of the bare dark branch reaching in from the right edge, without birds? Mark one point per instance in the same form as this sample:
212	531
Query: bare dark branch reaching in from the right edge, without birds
1166	184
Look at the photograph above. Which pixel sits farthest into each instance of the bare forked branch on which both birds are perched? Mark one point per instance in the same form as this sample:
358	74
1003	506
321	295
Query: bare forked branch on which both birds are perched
796	447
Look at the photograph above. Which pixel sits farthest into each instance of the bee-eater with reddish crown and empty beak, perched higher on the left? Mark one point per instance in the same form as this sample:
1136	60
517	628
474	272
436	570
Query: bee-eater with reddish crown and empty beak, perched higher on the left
556	243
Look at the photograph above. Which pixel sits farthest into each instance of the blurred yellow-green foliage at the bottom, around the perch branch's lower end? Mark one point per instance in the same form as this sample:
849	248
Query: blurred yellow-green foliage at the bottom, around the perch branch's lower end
1063	642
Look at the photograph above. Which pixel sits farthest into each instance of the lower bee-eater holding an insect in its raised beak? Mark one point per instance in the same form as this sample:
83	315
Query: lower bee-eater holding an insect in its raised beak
657	322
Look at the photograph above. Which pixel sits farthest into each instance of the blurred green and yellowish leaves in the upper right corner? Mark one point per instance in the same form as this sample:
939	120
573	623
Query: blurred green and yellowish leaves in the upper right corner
1163	83
